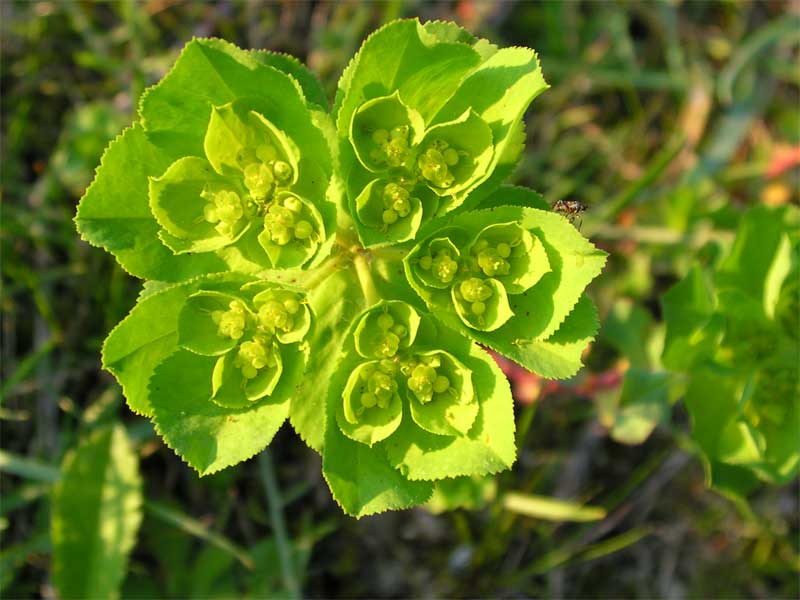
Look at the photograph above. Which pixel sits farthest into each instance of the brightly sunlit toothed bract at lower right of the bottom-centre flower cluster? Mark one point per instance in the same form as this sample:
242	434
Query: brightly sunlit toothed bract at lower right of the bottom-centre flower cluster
487	448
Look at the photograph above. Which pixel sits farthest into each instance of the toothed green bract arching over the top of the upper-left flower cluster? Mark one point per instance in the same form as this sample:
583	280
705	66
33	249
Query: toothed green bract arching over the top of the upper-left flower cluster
217	73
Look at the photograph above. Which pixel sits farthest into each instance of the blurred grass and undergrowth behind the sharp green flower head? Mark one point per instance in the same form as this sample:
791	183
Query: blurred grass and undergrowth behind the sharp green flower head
666	118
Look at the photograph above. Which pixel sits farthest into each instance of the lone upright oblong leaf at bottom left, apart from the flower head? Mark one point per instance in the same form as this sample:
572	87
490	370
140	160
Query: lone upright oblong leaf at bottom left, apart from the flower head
96	515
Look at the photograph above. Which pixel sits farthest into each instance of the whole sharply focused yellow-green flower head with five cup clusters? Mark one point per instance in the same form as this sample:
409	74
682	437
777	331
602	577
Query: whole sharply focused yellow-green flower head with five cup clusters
340	269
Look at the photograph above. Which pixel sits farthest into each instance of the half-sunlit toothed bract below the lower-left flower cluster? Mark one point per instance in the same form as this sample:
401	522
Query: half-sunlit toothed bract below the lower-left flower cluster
206	435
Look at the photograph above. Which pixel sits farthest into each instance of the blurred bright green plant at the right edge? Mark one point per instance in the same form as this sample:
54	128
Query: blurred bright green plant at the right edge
737	341
